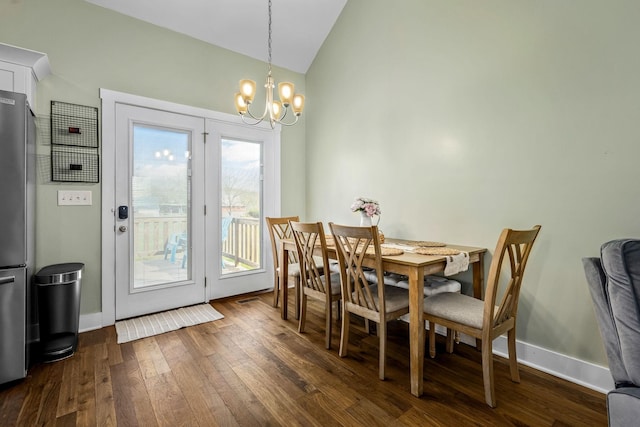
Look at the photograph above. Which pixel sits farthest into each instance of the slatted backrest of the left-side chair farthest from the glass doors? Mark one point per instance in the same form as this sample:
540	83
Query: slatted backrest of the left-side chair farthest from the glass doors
353	244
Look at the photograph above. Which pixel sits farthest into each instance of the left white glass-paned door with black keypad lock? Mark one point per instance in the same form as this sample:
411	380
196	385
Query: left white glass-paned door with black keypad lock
159	218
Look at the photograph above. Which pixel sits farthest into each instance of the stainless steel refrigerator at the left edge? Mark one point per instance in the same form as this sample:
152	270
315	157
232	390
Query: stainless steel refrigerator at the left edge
17	199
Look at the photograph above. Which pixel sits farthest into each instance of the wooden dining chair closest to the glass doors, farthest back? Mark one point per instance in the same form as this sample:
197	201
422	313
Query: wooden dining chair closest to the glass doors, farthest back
279	229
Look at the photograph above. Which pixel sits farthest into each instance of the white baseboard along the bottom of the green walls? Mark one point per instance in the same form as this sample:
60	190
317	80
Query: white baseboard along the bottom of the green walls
577	371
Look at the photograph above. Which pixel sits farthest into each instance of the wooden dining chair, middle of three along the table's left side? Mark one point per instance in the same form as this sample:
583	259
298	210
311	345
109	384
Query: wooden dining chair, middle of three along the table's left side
315	284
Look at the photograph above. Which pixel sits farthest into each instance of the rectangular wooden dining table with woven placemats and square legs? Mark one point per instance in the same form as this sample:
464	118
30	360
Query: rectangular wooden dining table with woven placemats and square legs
415	267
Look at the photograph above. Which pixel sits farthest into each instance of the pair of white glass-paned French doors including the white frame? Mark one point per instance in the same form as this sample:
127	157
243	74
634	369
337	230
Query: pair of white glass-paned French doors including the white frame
184	196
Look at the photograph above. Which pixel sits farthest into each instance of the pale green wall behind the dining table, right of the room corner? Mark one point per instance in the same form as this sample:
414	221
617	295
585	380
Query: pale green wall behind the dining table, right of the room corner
463	117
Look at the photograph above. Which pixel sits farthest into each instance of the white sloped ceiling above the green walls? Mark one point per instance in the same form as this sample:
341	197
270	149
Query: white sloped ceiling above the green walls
299	27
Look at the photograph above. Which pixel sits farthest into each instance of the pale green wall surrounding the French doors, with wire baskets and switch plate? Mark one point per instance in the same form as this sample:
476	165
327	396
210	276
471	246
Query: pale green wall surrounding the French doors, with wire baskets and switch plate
89	48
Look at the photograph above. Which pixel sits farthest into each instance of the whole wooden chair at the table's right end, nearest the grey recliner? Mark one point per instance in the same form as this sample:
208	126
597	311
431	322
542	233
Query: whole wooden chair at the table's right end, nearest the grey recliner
486	320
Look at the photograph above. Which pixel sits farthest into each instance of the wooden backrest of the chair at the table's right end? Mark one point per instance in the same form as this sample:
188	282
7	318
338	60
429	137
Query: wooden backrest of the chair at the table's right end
514	246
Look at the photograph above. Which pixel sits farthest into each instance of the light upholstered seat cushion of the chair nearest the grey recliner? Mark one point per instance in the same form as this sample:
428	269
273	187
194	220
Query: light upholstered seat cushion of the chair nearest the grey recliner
456	307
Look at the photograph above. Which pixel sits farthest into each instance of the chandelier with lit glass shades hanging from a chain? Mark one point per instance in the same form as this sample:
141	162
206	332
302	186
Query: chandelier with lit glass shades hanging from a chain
274	111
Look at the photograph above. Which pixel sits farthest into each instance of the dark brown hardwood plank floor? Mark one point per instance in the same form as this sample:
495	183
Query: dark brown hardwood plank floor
253	369
